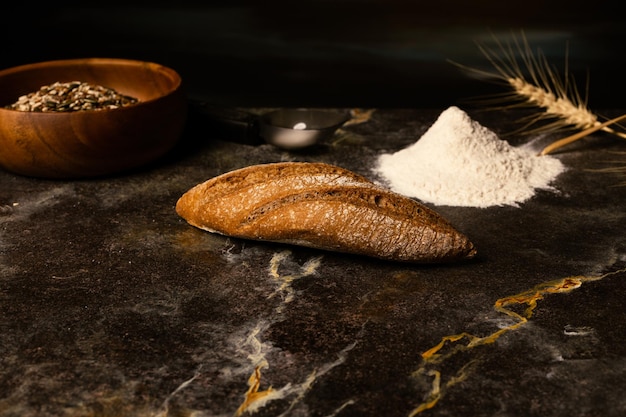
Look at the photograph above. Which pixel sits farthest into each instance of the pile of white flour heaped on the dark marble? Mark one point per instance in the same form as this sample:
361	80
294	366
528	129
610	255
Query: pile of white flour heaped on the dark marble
459	162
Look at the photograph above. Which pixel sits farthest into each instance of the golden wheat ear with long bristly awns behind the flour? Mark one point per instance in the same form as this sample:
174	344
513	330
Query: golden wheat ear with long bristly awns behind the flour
533	82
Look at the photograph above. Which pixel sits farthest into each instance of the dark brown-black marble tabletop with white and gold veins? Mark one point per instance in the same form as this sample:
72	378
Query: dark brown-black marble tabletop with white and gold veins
111	305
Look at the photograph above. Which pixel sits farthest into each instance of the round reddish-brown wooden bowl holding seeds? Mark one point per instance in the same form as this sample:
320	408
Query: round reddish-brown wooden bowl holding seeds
90	143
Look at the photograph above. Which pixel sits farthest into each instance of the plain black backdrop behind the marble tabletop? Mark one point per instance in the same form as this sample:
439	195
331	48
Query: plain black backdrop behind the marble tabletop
376	53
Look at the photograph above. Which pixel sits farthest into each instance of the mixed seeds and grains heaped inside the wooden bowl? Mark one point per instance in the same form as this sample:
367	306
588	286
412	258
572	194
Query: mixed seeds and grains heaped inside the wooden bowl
71	96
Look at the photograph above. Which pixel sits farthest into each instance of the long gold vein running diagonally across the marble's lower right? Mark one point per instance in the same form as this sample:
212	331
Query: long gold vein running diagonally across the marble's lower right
465	341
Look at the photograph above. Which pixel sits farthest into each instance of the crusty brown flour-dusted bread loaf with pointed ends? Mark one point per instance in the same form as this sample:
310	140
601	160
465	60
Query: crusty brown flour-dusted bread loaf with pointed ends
324	207
